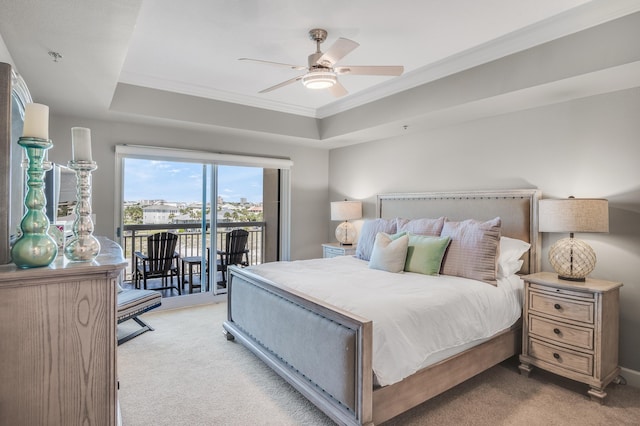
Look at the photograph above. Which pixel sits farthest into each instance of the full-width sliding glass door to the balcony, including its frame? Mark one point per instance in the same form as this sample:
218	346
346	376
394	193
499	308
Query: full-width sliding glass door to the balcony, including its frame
201	197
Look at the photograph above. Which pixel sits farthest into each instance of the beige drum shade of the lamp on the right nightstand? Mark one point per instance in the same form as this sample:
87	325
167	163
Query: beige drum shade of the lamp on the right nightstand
574	215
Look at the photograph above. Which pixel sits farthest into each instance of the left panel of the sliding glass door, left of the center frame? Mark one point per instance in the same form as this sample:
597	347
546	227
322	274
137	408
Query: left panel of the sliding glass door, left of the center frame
174	197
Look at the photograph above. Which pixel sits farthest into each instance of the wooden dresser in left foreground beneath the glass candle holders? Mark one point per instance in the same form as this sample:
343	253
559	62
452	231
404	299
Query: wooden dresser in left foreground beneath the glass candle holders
58	341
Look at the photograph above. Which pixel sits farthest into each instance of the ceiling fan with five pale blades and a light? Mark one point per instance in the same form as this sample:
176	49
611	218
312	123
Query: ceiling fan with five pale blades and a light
321	70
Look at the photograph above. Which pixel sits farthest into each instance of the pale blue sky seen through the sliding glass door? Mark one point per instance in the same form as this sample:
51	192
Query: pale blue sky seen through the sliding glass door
182	182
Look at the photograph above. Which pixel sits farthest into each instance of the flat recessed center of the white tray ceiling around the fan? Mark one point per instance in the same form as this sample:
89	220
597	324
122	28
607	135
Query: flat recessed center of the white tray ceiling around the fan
198	52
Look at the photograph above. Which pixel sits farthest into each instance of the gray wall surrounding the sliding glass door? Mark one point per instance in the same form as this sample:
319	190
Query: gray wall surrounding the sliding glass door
309	174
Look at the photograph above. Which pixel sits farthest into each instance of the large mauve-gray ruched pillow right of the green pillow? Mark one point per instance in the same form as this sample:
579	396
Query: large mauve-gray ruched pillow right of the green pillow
473	250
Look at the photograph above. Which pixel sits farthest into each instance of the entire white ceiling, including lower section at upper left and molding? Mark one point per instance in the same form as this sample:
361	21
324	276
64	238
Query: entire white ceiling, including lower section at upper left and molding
192	46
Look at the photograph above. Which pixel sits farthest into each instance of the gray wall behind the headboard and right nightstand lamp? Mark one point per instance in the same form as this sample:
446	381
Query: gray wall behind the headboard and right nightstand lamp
585	148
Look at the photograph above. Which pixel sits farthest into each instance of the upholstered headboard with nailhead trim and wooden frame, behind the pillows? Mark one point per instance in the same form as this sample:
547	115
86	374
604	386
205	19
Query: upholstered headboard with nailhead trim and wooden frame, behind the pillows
518	210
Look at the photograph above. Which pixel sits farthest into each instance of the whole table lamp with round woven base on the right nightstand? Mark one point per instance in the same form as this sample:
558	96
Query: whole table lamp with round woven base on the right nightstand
571	258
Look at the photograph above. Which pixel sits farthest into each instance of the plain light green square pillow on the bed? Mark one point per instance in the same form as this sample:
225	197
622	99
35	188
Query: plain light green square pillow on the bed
425	254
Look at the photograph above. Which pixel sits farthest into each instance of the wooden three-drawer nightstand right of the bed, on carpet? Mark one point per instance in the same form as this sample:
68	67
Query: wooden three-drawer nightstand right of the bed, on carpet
571	329
